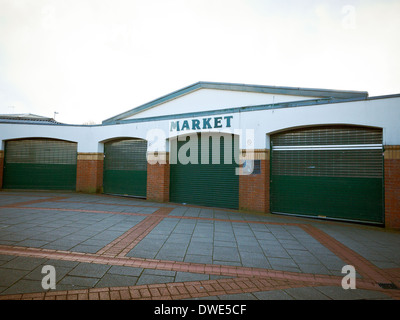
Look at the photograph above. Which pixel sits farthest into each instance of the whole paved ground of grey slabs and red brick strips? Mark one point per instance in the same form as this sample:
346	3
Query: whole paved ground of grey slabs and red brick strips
107	247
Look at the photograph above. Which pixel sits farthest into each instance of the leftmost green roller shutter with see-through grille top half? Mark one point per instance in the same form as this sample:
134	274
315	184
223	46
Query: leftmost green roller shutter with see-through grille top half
40	164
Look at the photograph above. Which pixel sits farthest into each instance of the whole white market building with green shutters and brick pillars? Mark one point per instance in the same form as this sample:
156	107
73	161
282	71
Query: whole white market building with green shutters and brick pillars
328	154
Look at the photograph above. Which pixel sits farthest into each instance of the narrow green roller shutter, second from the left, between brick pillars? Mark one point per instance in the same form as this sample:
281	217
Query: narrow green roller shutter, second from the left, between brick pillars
125	167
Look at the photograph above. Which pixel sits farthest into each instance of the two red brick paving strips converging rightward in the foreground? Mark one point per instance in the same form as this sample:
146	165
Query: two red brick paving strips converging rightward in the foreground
245	279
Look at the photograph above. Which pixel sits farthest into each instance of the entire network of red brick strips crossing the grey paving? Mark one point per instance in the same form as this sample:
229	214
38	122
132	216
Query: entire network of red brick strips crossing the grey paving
246	279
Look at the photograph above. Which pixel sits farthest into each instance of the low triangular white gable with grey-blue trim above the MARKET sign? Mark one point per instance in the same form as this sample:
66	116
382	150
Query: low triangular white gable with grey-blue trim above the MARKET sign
210	96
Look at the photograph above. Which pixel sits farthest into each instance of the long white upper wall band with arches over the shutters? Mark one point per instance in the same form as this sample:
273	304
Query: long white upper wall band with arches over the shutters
383	113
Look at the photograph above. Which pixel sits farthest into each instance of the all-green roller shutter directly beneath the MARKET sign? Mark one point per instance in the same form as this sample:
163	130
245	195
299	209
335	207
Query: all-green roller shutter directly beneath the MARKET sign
210	179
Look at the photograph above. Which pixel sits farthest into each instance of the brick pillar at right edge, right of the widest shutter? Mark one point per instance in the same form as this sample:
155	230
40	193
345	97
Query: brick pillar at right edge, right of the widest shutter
392	187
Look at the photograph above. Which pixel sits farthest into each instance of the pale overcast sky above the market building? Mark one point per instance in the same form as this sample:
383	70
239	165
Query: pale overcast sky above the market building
89	60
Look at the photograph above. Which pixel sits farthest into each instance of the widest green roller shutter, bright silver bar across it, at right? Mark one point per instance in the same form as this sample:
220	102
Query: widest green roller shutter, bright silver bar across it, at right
333	172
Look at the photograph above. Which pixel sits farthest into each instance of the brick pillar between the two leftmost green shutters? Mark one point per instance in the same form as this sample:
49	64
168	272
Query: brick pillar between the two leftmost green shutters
89	172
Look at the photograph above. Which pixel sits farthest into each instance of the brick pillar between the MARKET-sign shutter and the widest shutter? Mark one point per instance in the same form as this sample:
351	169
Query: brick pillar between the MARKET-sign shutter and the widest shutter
254	188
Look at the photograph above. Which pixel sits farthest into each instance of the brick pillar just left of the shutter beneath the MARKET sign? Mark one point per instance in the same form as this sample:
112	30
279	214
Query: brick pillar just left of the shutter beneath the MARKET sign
158	178
